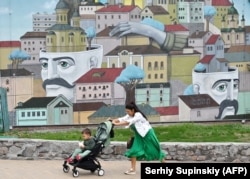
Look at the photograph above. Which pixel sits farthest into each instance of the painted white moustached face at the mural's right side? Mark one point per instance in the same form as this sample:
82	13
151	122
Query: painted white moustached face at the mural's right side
223	87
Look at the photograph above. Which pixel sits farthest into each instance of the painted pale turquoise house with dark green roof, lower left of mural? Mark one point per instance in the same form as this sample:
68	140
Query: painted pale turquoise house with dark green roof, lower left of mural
44	111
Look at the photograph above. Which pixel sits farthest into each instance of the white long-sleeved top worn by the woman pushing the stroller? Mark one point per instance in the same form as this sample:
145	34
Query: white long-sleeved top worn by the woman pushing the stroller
141	124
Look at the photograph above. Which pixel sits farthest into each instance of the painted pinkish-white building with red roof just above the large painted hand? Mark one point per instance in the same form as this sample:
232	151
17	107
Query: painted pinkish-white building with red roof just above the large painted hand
110	15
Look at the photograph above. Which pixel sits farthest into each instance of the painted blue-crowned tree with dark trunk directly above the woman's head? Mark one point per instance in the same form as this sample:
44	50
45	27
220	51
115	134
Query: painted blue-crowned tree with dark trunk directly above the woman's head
128	78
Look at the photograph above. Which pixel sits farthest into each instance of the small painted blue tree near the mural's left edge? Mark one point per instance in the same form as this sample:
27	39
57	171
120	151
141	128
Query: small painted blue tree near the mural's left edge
17	57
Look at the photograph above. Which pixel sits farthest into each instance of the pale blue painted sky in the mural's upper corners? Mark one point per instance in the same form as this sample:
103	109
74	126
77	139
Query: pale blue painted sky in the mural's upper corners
16	15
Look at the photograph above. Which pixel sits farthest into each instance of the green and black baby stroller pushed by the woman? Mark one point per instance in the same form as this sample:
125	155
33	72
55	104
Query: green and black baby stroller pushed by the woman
102	137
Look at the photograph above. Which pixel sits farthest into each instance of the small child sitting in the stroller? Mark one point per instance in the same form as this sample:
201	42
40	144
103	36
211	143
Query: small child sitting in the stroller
84	147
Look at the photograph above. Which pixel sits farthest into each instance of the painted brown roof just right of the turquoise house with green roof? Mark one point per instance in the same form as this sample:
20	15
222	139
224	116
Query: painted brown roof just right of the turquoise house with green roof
88	106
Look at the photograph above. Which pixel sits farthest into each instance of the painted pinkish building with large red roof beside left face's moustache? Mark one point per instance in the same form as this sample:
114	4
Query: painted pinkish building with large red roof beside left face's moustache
98	85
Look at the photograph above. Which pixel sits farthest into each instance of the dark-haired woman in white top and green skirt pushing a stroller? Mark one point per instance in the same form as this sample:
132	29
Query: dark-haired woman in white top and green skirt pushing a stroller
146	145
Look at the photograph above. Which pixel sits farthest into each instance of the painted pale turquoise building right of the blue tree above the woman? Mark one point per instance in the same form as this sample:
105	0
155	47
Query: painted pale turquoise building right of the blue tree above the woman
154	94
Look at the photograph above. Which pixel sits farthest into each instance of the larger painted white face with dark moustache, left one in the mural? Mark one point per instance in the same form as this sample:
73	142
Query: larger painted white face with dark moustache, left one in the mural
61	69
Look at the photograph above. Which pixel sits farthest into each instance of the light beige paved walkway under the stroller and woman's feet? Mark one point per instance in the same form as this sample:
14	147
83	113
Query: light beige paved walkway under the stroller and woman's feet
53	169
